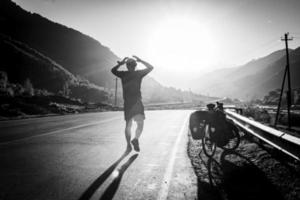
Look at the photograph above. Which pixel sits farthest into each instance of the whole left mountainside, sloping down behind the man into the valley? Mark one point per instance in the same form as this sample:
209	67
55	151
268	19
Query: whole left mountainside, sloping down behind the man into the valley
61	59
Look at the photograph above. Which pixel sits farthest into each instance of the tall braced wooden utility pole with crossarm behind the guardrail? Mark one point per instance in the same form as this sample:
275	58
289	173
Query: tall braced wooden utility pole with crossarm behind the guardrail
288	74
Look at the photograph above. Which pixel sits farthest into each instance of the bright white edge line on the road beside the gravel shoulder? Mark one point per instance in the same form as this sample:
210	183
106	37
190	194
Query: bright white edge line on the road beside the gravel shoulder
164	189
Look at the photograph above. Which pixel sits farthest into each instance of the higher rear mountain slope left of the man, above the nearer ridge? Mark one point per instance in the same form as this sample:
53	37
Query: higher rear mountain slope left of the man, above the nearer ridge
76	52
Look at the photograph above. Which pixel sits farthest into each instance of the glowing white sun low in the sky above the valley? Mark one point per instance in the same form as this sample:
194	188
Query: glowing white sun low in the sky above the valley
181	43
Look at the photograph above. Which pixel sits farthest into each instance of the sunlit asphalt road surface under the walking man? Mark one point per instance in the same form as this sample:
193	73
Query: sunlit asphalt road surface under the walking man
82	157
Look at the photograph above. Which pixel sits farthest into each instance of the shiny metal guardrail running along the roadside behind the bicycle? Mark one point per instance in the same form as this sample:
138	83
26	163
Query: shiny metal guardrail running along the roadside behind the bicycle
284	142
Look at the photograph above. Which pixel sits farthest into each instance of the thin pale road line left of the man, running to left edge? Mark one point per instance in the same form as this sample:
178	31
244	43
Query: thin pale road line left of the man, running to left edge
60	130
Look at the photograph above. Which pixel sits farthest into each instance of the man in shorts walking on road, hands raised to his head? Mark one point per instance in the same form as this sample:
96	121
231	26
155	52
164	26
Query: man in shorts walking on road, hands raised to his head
133	106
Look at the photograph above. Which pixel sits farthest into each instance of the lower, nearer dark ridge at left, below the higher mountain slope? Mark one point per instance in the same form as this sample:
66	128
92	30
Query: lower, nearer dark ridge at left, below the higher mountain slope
22	63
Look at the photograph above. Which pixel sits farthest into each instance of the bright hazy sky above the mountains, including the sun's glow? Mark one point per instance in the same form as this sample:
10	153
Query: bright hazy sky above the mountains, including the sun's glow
187	37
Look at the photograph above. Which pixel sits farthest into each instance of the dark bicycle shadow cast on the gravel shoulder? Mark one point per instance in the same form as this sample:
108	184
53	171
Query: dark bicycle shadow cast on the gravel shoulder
238	178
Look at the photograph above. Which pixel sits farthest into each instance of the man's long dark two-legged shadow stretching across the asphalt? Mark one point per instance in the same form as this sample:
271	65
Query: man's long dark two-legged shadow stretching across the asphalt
100	180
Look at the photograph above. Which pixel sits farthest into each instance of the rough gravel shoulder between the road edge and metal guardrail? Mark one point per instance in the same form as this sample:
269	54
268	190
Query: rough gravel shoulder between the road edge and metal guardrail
253	171
